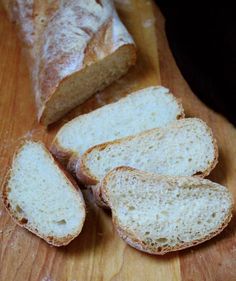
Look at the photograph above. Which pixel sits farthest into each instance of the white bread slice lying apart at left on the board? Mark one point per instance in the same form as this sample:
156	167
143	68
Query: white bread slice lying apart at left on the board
41	198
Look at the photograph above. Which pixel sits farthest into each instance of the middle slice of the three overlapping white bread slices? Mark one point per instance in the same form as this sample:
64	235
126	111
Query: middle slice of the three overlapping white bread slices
186	147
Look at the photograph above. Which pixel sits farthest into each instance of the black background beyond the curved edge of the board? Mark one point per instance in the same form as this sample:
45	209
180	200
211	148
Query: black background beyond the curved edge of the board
203	42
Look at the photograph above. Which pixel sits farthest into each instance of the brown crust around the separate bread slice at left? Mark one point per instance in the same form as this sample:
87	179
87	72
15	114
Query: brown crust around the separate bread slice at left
55	241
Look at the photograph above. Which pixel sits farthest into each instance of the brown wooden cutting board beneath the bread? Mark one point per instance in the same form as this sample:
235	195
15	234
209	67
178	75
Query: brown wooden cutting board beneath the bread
98	253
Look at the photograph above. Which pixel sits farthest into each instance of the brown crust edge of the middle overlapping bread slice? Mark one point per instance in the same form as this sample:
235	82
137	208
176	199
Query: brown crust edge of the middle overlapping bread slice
84	174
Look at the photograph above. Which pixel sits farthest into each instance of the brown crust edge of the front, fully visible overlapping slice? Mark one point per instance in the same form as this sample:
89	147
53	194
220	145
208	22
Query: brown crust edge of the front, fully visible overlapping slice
136	242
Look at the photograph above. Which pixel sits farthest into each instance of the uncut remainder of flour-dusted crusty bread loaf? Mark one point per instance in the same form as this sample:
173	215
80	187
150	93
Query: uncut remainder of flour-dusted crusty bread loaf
75	48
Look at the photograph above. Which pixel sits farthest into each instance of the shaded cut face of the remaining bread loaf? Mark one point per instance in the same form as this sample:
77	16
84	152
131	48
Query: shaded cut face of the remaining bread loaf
78	87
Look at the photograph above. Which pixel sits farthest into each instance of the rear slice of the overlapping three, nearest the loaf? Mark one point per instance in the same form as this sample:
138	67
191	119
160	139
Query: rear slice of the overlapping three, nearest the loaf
145	109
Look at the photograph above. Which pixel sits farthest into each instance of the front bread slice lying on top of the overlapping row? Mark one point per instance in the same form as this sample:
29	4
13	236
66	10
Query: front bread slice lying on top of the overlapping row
159	214
